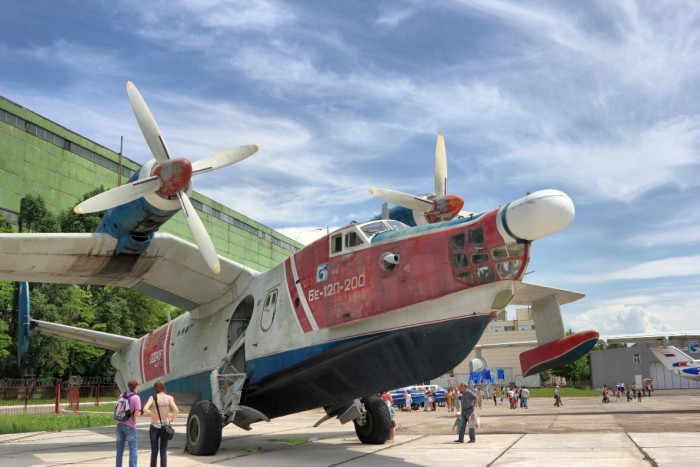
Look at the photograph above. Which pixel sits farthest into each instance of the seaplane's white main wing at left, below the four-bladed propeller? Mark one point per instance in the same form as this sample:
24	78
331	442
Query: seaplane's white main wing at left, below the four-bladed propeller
171	269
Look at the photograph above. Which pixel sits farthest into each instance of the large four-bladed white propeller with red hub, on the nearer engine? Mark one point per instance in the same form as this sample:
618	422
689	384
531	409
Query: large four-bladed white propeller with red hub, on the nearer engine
169	177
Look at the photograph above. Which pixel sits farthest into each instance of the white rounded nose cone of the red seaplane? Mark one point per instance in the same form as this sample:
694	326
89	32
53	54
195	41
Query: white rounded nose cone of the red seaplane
538	214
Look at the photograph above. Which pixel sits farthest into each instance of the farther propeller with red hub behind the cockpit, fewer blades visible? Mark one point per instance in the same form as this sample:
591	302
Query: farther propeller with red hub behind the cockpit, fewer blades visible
436	207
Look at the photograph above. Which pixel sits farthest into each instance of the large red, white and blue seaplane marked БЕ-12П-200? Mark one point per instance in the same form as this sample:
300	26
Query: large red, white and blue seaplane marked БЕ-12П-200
369	307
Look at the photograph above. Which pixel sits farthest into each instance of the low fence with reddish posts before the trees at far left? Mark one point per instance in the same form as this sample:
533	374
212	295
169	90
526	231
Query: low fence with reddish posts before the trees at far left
19	396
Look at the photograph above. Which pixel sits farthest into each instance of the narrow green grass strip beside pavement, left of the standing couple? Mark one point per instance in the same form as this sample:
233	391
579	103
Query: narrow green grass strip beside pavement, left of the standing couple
27	423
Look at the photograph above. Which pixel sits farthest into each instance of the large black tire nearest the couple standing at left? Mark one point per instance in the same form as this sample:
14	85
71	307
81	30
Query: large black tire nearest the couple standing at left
204	429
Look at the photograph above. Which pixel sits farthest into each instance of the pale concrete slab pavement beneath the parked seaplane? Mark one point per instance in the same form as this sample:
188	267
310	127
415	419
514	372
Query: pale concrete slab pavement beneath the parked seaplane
661	431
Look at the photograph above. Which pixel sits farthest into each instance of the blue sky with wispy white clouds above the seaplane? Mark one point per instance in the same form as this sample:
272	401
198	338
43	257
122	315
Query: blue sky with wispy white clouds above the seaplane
599	99
